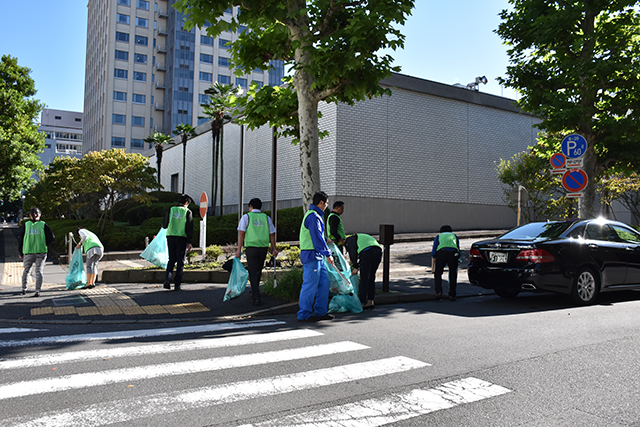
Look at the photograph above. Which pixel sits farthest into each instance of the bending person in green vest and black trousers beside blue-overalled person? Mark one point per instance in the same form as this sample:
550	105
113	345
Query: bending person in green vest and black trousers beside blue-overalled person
365	254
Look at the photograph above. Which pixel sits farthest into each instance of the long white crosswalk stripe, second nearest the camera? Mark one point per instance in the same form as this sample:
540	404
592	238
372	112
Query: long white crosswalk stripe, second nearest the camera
123	411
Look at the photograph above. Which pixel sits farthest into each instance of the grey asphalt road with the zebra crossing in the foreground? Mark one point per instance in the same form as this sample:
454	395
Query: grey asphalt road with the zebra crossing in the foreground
481	361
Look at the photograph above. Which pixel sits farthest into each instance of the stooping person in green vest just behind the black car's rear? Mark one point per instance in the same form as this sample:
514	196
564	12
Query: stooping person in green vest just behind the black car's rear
446	251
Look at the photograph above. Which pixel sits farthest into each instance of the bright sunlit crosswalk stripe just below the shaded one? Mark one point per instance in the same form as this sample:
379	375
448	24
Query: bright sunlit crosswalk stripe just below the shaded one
165	347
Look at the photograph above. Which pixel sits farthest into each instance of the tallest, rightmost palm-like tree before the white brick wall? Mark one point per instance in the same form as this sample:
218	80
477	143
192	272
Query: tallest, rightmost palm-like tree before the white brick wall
221	97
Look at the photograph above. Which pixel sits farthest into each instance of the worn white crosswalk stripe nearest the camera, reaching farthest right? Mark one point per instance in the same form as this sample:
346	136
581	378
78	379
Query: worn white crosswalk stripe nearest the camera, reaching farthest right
393	408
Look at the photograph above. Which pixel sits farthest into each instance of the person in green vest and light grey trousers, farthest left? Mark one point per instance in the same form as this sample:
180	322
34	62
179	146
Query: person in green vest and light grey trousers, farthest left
35	237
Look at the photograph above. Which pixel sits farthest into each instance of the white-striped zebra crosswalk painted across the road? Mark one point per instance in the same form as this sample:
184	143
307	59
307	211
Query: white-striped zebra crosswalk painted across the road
217	356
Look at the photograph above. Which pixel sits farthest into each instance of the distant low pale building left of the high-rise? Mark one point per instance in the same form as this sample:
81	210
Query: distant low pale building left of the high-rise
63	134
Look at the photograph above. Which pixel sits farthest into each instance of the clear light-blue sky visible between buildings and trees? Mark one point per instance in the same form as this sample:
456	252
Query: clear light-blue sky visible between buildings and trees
448	41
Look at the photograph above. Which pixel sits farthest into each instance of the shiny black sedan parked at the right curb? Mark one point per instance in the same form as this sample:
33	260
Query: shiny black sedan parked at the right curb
579	258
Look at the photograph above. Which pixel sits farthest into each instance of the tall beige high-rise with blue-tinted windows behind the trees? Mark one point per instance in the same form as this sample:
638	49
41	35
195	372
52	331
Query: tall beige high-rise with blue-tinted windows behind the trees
145	72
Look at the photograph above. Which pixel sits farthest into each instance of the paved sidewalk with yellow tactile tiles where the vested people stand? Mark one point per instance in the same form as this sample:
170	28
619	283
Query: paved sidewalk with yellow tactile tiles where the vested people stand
410	281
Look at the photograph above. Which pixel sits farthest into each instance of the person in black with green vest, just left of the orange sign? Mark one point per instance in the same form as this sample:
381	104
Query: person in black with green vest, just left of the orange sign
179	224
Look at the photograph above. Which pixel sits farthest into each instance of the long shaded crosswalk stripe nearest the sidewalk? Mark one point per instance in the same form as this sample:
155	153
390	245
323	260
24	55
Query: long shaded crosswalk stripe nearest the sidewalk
142	333
